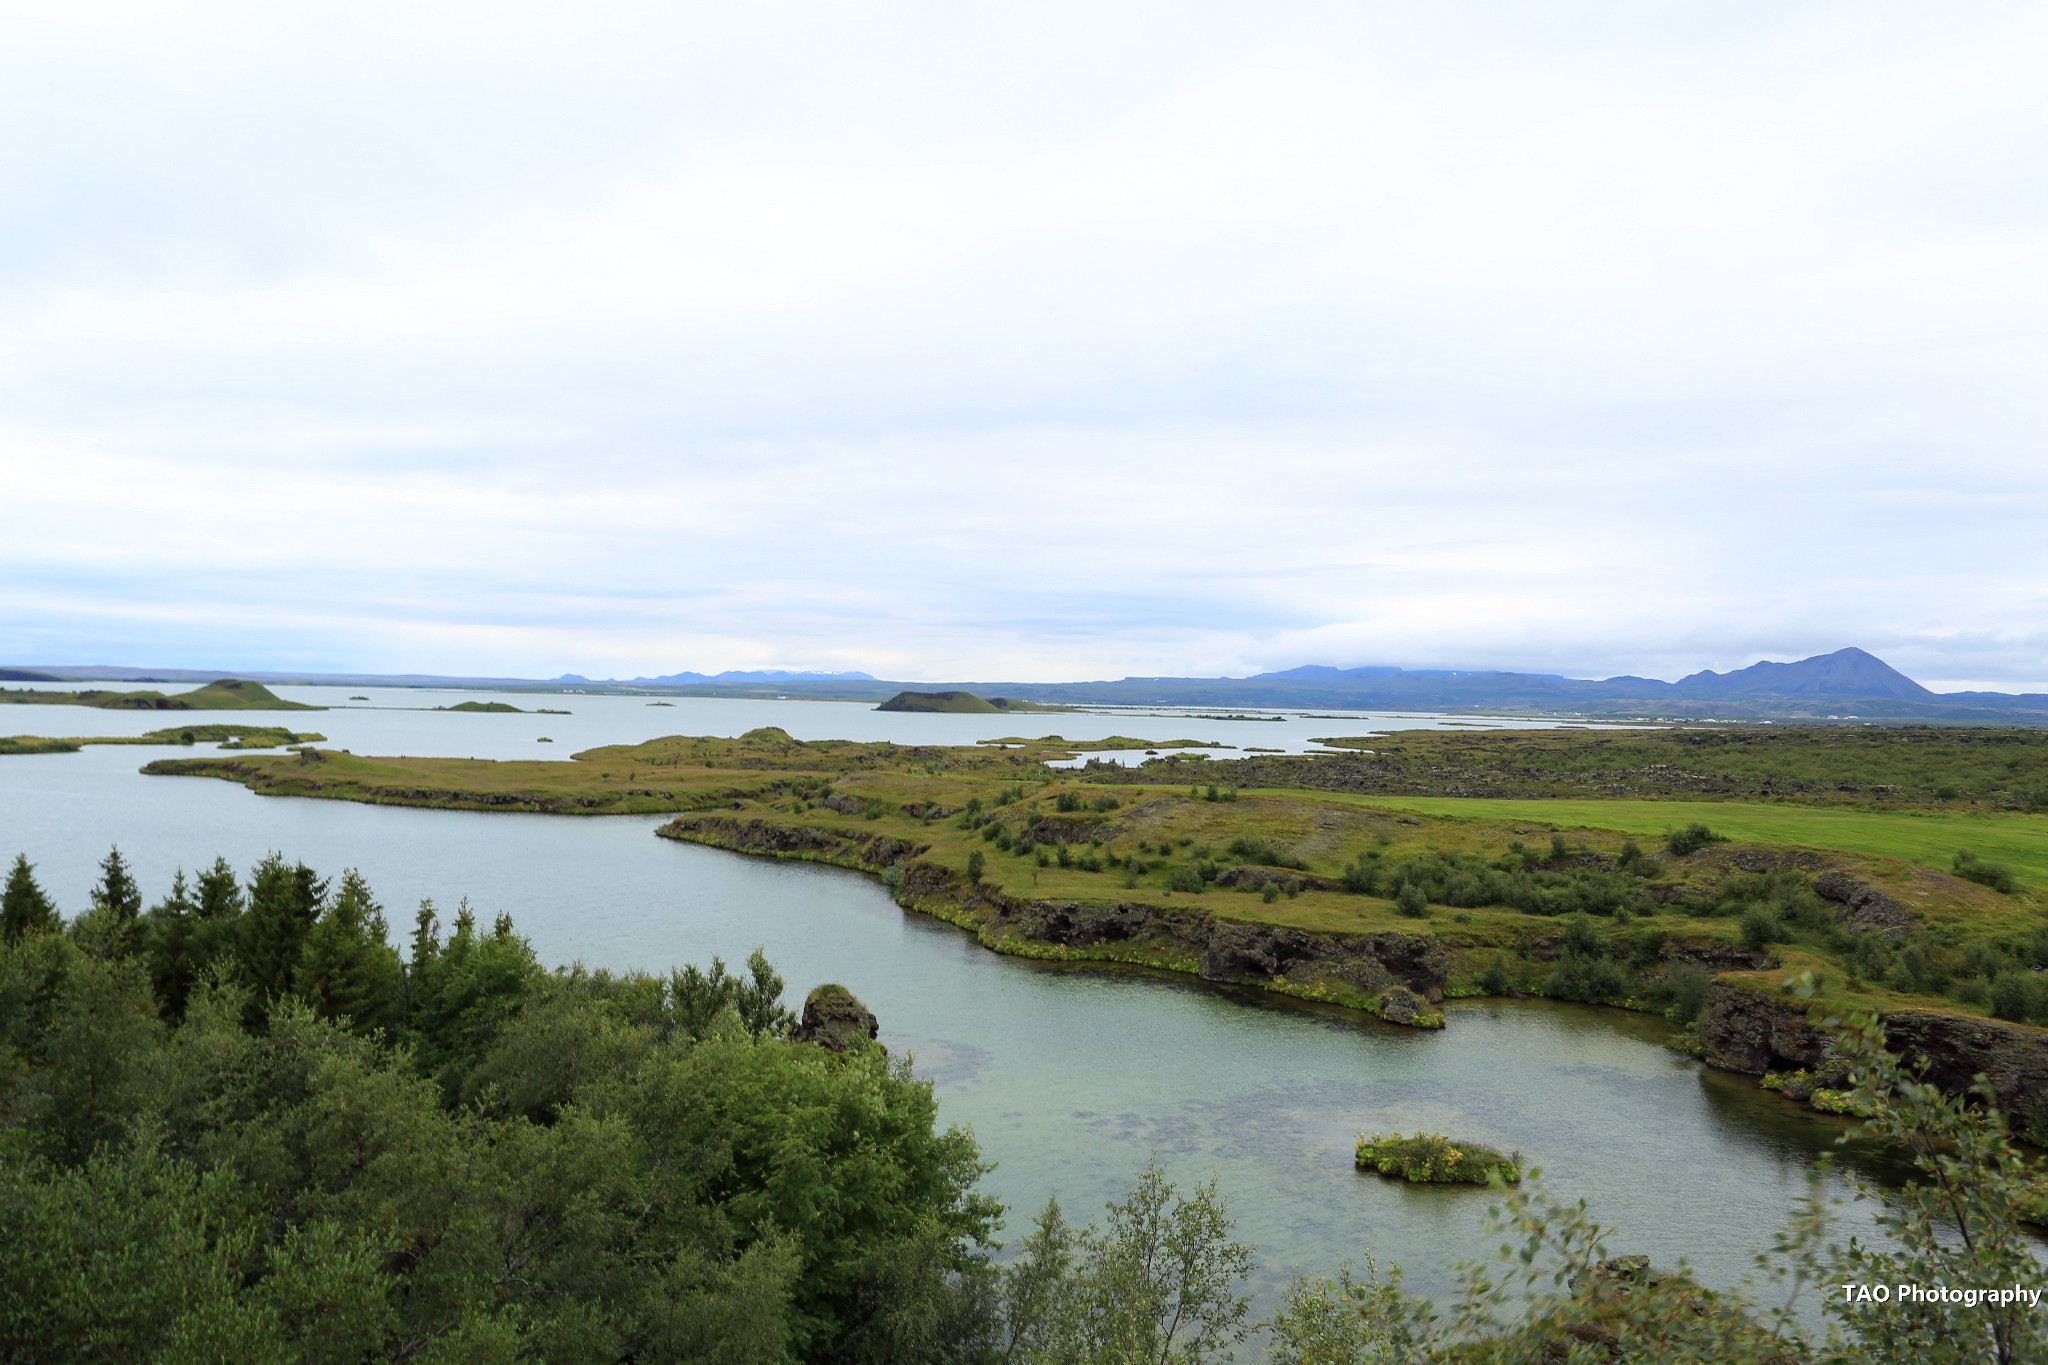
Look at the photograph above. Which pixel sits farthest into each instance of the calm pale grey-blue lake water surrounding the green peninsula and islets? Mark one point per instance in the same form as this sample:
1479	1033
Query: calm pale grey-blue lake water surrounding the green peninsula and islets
1070	1075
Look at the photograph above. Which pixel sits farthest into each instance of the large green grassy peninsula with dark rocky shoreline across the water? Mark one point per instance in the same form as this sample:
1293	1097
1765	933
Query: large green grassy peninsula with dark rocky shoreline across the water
1910	887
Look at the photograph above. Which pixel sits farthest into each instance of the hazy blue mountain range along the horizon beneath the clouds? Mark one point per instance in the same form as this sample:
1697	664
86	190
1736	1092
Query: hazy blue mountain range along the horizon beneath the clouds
1848	685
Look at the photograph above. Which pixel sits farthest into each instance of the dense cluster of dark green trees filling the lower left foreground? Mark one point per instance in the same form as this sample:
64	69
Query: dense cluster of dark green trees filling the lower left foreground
239	1125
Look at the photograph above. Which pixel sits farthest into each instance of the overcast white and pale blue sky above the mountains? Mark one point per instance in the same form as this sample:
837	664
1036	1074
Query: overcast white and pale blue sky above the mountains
1025	343
